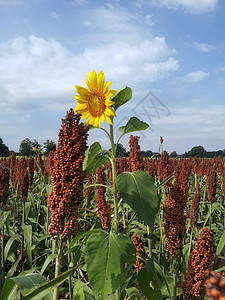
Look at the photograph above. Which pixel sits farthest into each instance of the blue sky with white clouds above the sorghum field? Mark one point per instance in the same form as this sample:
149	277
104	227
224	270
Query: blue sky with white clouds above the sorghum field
171	53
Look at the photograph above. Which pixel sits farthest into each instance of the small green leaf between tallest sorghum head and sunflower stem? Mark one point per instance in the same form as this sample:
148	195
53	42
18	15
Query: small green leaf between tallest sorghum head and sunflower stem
94	158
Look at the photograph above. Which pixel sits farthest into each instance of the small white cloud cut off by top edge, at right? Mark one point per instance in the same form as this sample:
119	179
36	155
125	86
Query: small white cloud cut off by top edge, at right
192	6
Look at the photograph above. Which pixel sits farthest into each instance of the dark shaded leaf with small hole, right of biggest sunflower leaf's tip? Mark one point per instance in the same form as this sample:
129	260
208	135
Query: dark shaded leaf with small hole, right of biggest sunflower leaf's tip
146	276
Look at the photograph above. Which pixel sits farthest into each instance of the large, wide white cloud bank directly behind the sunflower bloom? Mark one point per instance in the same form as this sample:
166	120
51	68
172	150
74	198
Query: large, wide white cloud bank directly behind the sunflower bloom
36	68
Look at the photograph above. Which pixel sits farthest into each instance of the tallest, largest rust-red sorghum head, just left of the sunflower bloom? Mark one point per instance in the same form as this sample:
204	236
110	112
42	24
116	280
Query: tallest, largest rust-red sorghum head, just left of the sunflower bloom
67	177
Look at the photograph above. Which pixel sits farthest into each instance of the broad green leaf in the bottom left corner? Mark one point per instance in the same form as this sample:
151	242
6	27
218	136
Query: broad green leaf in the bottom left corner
26	284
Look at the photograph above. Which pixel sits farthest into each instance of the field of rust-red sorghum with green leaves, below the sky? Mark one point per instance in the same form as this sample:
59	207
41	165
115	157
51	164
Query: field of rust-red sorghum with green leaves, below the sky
58	233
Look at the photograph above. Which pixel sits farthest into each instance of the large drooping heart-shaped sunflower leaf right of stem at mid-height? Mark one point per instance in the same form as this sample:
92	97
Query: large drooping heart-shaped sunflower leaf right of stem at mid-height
138	190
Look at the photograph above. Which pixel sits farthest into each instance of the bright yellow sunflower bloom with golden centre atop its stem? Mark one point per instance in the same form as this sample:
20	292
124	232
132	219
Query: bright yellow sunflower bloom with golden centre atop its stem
94	102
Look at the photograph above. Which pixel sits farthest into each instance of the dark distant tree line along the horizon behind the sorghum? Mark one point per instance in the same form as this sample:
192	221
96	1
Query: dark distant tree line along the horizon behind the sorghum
28	147
